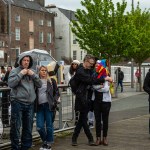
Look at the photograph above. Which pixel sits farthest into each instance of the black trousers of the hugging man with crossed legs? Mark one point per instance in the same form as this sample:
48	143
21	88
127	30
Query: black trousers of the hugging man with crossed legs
82	122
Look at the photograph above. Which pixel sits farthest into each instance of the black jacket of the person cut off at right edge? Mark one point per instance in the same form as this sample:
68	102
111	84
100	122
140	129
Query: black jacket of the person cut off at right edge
146	85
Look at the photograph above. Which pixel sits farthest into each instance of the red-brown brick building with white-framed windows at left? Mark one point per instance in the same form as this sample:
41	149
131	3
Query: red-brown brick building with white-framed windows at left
24	25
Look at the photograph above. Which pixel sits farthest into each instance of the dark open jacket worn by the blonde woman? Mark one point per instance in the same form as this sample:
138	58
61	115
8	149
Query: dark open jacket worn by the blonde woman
52	95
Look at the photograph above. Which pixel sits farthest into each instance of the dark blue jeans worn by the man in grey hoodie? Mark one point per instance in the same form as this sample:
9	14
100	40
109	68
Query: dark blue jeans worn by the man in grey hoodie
21	114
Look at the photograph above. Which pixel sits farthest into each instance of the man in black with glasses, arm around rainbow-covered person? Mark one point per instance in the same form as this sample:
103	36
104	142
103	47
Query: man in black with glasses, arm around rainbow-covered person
83	96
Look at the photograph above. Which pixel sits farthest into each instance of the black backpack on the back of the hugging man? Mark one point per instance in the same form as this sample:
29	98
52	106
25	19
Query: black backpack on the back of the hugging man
73	84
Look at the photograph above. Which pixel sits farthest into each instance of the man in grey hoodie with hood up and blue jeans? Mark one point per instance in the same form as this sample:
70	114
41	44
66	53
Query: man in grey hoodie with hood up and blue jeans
22	81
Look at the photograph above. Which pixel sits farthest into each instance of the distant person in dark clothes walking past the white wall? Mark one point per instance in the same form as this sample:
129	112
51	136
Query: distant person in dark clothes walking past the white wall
120	76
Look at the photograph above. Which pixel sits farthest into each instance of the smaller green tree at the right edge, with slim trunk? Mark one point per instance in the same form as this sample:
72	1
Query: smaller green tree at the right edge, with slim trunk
138	39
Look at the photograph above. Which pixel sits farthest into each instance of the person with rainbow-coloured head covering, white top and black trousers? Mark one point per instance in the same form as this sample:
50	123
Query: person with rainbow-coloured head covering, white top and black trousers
102	104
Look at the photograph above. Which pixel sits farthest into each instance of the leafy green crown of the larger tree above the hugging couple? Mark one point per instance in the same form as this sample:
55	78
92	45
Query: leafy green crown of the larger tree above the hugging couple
101	29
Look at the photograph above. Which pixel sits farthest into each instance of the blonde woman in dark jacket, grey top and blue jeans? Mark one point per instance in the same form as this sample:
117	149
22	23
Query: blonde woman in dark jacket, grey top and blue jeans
47	97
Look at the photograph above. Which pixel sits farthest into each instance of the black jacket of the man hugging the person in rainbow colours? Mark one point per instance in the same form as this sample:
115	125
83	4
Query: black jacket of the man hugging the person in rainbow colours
83	95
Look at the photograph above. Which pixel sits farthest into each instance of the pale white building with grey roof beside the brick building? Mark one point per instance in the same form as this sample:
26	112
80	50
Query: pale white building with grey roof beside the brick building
65	41
